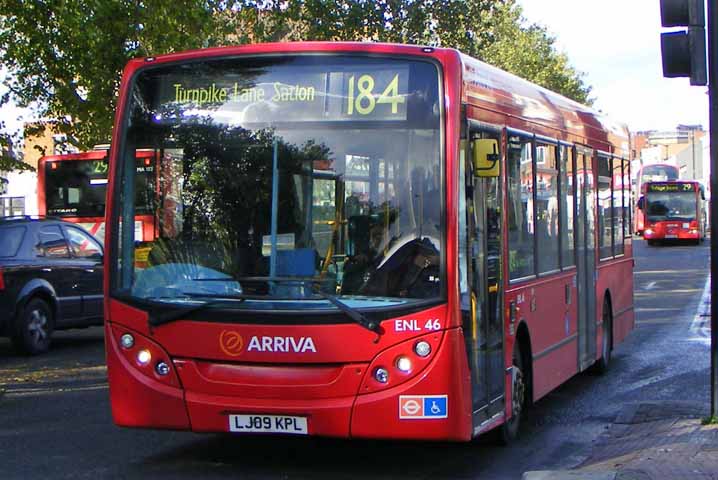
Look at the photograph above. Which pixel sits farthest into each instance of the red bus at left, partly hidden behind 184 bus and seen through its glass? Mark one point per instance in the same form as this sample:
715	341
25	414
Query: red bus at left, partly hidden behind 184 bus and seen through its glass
73	187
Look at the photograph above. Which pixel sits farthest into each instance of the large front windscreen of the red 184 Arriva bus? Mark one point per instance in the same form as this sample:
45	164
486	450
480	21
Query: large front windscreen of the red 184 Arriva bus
287	179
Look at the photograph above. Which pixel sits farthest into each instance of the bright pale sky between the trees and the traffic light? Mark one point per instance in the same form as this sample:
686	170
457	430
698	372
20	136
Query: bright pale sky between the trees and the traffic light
616	43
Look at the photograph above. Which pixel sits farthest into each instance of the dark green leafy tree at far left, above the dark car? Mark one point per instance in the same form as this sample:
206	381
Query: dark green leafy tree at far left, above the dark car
67	56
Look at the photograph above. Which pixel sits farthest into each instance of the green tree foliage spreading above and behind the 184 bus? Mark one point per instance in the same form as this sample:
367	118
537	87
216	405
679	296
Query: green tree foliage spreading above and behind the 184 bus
66	57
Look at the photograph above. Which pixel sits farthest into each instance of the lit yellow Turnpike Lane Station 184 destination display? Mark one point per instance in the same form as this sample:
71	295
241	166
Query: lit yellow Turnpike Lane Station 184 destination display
285	94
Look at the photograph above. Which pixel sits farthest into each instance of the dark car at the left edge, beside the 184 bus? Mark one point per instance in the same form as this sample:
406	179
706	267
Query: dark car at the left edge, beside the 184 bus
50	279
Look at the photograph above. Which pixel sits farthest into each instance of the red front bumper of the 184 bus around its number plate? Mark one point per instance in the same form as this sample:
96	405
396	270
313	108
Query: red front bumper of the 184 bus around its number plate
434	405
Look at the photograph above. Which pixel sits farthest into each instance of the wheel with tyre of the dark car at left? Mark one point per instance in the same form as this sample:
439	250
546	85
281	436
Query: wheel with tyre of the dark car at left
33	327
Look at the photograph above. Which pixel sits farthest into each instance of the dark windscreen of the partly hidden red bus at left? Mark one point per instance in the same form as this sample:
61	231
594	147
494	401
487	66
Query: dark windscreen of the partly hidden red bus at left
76	188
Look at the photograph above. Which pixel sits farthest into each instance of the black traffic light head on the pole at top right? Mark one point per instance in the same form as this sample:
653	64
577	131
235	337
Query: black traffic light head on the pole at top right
684	51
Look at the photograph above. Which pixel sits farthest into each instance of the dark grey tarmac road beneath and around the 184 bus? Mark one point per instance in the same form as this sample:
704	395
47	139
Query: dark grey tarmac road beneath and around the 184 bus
55	420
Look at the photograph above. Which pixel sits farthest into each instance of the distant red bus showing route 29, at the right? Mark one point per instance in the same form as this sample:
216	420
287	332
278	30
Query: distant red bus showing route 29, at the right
674	211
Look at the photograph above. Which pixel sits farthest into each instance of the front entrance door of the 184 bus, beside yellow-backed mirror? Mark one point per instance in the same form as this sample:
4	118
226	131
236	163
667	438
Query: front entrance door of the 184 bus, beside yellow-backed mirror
481	258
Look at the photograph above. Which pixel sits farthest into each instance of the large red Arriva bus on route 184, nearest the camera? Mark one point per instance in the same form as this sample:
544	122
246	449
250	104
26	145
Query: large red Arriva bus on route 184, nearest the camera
360	240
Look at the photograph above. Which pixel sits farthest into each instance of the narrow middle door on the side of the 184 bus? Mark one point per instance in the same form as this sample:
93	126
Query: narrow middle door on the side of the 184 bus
586	257
